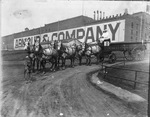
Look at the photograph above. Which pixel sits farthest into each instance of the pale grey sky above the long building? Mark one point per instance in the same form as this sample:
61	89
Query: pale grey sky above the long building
16	15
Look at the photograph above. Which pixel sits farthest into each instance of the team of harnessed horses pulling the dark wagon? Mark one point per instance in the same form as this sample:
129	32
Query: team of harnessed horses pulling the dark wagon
57	52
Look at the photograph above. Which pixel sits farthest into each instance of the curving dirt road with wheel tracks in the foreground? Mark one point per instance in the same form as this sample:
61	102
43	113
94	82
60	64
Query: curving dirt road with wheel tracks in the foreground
65	93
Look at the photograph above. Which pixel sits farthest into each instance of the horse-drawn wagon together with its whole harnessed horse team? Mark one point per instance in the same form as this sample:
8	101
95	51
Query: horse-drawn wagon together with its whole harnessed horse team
54	51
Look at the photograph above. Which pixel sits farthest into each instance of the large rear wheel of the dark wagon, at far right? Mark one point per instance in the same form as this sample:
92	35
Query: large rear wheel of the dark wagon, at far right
138	54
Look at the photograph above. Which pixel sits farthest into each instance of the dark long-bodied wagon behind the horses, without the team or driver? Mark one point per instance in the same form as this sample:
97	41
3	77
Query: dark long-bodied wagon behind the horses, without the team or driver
130	50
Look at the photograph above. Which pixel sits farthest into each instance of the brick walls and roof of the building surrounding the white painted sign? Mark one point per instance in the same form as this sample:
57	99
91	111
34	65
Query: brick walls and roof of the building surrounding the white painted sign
133	31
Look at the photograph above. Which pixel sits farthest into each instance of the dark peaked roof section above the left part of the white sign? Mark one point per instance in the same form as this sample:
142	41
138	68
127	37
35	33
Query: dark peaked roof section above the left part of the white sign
55	26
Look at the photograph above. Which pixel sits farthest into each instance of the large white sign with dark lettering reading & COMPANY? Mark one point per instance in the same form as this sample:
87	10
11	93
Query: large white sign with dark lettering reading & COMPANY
85	34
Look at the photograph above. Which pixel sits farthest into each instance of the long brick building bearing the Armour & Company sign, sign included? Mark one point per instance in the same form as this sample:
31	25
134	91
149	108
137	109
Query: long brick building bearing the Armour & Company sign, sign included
122	28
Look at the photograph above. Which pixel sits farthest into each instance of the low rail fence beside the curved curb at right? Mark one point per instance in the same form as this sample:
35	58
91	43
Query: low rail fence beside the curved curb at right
135	72
